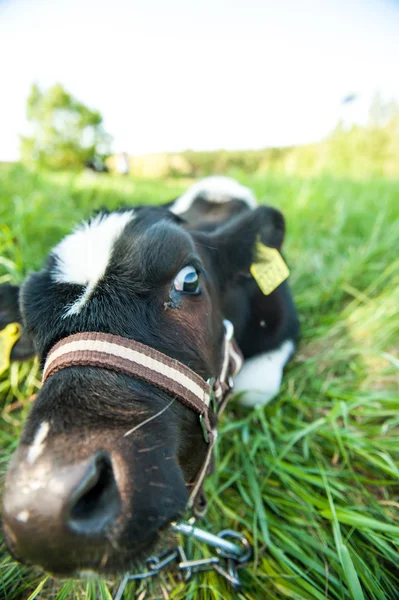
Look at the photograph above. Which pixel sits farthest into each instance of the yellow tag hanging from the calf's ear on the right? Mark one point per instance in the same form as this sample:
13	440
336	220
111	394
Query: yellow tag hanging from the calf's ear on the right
270	269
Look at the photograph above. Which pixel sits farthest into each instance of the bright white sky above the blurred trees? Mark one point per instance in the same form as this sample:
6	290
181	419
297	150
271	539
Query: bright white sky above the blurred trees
203	74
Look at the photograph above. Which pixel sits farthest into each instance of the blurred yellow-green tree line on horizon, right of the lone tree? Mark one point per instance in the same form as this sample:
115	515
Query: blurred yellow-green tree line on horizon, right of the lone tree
350	151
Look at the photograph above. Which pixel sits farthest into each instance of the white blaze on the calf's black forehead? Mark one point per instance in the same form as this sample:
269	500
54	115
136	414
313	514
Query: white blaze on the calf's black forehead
83	256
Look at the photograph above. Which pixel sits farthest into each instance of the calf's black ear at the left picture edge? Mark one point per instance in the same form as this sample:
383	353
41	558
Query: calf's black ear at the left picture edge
23	348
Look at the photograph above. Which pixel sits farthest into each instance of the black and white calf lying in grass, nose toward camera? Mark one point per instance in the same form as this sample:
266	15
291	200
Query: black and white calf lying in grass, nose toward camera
106	461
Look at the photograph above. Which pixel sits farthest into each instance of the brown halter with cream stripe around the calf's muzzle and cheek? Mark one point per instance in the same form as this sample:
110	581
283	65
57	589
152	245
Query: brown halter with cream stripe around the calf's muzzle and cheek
123	355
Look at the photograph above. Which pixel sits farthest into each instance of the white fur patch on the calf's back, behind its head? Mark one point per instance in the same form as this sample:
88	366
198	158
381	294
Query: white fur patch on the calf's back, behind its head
216	189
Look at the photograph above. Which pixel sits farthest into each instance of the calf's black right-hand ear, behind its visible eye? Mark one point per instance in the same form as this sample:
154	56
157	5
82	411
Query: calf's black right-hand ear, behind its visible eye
233	246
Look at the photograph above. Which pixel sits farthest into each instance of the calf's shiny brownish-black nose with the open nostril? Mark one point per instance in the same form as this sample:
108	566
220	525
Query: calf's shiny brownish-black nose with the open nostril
57	512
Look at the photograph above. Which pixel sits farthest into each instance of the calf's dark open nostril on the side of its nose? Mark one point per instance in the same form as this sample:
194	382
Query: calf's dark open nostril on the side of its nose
95	502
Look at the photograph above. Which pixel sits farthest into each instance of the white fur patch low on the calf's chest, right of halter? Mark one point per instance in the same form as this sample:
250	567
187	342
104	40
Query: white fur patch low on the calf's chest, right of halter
260	376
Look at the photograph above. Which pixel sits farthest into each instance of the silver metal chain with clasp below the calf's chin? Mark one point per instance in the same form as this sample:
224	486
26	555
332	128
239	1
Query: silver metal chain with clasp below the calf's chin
230	556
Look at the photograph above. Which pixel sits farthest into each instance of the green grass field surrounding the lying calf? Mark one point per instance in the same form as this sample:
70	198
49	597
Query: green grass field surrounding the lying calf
313	478
